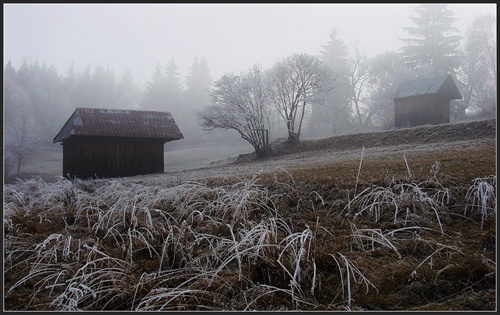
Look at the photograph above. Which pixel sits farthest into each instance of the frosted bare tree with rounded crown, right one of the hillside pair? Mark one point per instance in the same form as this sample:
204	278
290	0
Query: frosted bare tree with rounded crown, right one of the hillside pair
296	82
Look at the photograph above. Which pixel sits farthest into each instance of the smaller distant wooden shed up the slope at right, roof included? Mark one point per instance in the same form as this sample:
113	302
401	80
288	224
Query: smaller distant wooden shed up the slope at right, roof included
424	101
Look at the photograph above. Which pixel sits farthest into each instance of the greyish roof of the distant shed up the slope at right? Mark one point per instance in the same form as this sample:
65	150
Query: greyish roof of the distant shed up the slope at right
442	85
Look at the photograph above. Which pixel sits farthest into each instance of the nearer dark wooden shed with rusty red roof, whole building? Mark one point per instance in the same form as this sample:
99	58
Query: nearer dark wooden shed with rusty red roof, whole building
114	143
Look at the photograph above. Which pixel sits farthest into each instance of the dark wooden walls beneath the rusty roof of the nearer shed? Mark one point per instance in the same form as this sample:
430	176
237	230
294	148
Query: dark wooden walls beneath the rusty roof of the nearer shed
90	157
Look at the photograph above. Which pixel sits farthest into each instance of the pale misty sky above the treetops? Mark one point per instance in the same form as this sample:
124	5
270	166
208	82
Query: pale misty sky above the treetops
230	37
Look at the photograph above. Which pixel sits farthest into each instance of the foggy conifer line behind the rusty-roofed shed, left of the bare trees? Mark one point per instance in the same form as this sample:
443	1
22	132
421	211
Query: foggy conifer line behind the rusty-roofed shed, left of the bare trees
38	100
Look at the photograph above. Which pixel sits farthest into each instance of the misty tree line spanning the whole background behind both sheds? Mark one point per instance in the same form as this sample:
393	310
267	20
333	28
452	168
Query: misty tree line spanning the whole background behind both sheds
339	90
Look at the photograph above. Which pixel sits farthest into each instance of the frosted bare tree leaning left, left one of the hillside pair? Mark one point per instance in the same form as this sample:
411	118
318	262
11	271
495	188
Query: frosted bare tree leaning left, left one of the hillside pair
240	102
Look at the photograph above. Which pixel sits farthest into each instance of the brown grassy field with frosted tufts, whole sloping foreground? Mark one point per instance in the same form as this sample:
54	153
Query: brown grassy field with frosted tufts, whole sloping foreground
402	220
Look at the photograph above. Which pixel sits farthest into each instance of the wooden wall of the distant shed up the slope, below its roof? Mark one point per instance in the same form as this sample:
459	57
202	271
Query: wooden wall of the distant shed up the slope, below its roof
421	110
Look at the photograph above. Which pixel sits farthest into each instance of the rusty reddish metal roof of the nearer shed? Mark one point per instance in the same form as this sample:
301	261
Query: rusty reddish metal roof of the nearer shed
120	123
